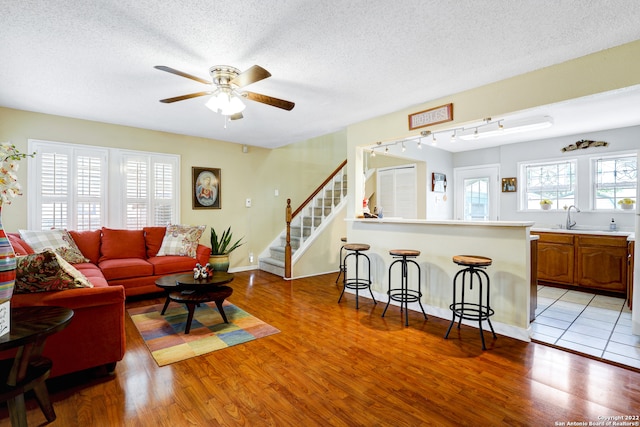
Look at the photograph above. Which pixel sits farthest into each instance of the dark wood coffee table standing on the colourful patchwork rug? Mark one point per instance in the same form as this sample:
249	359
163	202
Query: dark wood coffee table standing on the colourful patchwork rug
184	289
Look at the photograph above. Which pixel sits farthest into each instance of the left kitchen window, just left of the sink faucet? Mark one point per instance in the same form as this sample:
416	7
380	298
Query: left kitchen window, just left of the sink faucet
554	181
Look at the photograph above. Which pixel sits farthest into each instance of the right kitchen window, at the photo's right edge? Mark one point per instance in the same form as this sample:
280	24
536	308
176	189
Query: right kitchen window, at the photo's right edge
615	178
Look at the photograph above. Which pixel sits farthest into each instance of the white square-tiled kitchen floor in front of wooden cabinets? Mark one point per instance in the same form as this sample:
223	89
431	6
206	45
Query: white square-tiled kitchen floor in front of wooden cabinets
597	325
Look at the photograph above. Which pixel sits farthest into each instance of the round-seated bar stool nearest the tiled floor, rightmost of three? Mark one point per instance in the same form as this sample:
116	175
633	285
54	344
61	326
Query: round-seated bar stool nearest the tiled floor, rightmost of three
474	267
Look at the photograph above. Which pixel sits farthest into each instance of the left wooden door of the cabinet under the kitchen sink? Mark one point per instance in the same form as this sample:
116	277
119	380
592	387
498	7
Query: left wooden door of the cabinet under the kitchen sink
556	256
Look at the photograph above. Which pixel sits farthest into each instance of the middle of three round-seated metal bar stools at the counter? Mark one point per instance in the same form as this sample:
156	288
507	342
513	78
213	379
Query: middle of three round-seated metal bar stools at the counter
403	294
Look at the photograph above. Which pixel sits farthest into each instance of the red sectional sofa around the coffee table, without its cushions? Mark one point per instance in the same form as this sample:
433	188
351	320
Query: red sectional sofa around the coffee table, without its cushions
122	263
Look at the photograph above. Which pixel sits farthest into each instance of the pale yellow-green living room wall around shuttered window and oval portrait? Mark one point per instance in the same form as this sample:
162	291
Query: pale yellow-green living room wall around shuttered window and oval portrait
295	170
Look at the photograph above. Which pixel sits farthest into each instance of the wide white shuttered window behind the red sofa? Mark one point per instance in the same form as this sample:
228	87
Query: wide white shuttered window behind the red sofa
84	188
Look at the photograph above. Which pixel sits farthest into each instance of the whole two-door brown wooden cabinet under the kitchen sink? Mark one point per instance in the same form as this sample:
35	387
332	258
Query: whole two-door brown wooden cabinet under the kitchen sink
593	262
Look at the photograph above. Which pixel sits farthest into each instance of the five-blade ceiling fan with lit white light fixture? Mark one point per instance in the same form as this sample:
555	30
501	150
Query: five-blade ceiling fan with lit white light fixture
227	94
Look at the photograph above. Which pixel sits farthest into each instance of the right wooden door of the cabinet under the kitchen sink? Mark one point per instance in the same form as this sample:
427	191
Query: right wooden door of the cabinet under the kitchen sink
601	262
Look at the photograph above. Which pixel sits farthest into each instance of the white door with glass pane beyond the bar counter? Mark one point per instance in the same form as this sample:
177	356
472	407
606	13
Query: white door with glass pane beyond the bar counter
476	193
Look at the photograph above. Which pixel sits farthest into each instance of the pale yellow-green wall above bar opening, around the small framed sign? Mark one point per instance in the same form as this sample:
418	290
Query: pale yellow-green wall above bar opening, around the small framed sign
610	69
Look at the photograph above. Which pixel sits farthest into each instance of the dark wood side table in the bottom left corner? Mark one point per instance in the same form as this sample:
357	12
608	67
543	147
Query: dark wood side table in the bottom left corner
30	327
